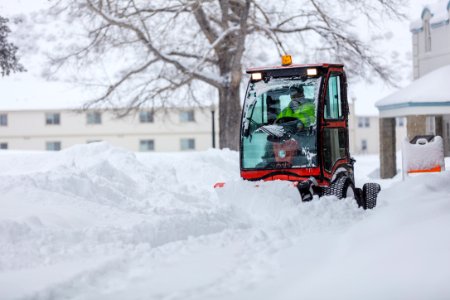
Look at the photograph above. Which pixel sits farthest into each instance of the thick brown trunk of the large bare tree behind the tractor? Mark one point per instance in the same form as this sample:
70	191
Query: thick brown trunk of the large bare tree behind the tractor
229	117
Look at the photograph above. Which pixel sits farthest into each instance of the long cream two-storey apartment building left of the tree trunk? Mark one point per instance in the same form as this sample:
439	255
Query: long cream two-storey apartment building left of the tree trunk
175	129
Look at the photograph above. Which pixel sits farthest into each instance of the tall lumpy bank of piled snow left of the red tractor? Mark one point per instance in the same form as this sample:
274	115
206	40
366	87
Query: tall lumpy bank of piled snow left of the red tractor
94	201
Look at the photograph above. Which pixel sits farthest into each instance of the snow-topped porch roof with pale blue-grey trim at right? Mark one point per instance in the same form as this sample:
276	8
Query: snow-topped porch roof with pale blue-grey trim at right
429	94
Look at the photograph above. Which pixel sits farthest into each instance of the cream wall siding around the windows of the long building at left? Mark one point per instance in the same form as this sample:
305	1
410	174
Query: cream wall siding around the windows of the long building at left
27	130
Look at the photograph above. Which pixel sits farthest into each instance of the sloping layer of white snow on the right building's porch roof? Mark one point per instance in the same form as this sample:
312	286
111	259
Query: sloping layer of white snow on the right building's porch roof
427	90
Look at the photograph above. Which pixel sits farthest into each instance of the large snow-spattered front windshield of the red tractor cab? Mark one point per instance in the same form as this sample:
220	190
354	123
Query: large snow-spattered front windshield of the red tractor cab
279	126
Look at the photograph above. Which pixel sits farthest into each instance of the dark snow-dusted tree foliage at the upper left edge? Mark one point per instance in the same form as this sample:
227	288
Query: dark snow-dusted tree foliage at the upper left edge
8	60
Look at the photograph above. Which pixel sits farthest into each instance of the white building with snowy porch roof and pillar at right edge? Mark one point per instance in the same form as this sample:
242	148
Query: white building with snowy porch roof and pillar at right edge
426	101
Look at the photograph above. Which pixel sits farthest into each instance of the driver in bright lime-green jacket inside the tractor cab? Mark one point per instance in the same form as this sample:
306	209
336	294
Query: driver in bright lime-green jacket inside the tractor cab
299	108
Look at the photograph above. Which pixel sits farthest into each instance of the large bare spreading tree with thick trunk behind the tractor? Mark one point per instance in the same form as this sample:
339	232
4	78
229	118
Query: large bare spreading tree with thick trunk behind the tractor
174	45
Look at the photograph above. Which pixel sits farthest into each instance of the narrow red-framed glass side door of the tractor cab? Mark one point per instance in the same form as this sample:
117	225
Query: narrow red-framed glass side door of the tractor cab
334	132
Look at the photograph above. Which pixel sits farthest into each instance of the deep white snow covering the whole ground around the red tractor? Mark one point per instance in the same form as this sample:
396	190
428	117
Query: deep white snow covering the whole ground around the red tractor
98	222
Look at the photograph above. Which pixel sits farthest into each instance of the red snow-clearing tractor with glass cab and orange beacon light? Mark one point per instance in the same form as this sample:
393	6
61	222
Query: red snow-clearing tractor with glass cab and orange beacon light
294	127
